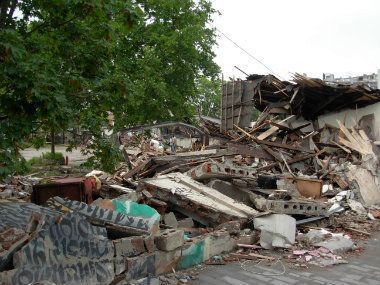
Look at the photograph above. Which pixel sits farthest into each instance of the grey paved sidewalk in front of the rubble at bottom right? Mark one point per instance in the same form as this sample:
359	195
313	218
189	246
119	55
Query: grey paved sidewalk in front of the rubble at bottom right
363	269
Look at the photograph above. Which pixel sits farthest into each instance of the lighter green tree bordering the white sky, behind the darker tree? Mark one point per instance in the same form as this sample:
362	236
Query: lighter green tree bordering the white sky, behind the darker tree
166	55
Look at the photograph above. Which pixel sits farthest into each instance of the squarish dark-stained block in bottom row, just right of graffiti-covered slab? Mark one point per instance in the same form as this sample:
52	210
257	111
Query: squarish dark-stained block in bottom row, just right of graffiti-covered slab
140	266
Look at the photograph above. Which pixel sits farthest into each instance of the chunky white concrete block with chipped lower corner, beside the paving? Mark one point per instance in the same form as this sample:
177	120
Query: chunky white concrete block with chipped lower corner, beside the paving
277	230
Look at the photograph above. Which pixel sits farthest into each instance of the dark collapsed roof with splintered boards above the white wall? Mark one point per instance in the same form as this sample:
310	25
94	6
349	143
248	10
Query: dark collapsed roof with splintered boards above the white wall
308	97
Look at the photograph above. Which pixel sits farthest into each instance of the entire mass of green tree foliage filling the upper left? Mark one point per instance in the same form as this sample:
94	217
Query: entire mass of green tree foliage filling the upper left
65	63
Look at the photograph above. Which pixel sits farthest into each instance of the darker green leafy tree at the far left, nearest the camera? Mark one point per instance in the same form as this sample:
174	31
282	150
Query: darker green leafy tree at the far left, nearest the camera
56	66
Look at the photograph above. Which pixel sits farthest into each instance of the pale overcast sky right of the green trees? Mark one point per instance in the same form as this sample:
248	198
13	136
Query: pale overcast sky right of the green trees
304	36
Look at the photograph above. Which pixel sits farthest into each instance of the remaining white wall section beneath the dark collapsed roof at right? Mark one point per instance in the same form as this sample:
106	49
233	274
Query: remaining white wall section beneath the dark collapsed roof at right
350	117
